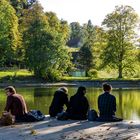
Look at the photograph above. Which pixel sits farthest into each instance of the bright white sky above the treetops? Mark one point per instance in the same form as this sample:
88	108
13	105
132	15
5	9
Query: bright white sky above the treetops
83	10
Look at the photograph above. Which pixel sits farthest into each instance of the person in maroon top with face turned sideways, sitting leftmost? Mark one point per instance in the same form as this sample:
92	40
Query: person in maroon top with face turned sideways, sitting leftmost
15	103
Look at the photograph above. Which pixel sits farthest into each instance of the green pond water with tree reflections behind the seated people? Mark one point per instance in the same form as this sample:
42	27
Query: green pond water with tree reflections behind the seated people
128	105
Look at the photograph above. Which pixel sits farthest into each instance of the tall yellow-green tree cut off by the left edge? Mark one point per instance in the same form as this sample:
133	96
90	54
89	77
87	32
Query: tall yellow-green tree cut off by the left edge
9	34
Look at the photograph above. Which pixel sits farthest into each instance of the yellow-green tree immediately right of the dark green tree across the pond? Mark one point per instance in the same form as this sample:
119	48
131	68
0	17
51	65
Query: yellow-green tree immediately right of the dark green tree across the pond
60	55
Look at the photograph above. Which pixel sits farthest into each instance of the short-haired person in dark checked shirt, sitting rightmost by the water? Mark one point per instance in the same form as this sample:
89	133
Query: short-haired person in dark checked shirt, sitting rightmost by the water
107	105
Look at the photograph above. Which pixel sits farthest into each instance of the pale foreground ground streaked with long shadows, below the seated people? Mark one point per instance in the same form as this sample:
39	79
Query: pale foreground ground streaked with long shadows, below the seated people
52	129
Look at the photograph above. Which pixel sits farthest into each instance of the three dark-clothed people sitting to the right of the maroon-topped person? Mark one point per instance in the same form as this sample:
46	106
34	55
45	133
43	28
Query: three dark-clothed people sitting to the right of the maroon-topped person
78	106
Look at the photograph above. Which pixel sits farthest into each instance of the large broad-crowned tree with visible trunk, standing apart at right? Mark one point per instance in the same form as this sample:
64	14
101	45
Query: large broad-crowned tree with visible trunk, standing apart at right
119	51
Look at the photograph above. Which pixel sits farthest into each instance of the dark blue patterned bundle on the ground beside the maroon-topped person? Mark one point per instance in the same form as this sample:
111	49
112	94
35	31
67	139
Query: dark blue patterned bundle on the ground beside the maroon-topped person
35	115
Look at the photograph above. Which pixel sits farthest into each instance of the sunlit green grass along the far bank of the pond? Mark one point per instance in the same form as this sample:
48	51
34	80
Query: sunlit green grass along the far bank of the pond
23	75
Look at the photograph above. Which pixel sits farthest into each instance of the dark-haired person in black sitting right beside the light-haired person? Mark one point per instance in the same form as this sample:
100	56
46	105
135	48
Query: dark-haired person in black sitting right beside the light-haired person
78	105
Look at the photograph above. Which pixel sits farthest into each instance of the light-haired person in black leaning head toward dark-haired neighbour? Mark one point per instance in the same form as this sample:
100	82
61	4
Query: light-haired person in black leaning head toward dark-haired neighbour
59	100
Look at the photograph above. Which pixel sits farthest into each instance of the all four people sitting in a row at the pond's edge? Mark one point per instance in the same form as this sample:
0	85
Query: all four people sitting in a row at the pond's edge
77	106
